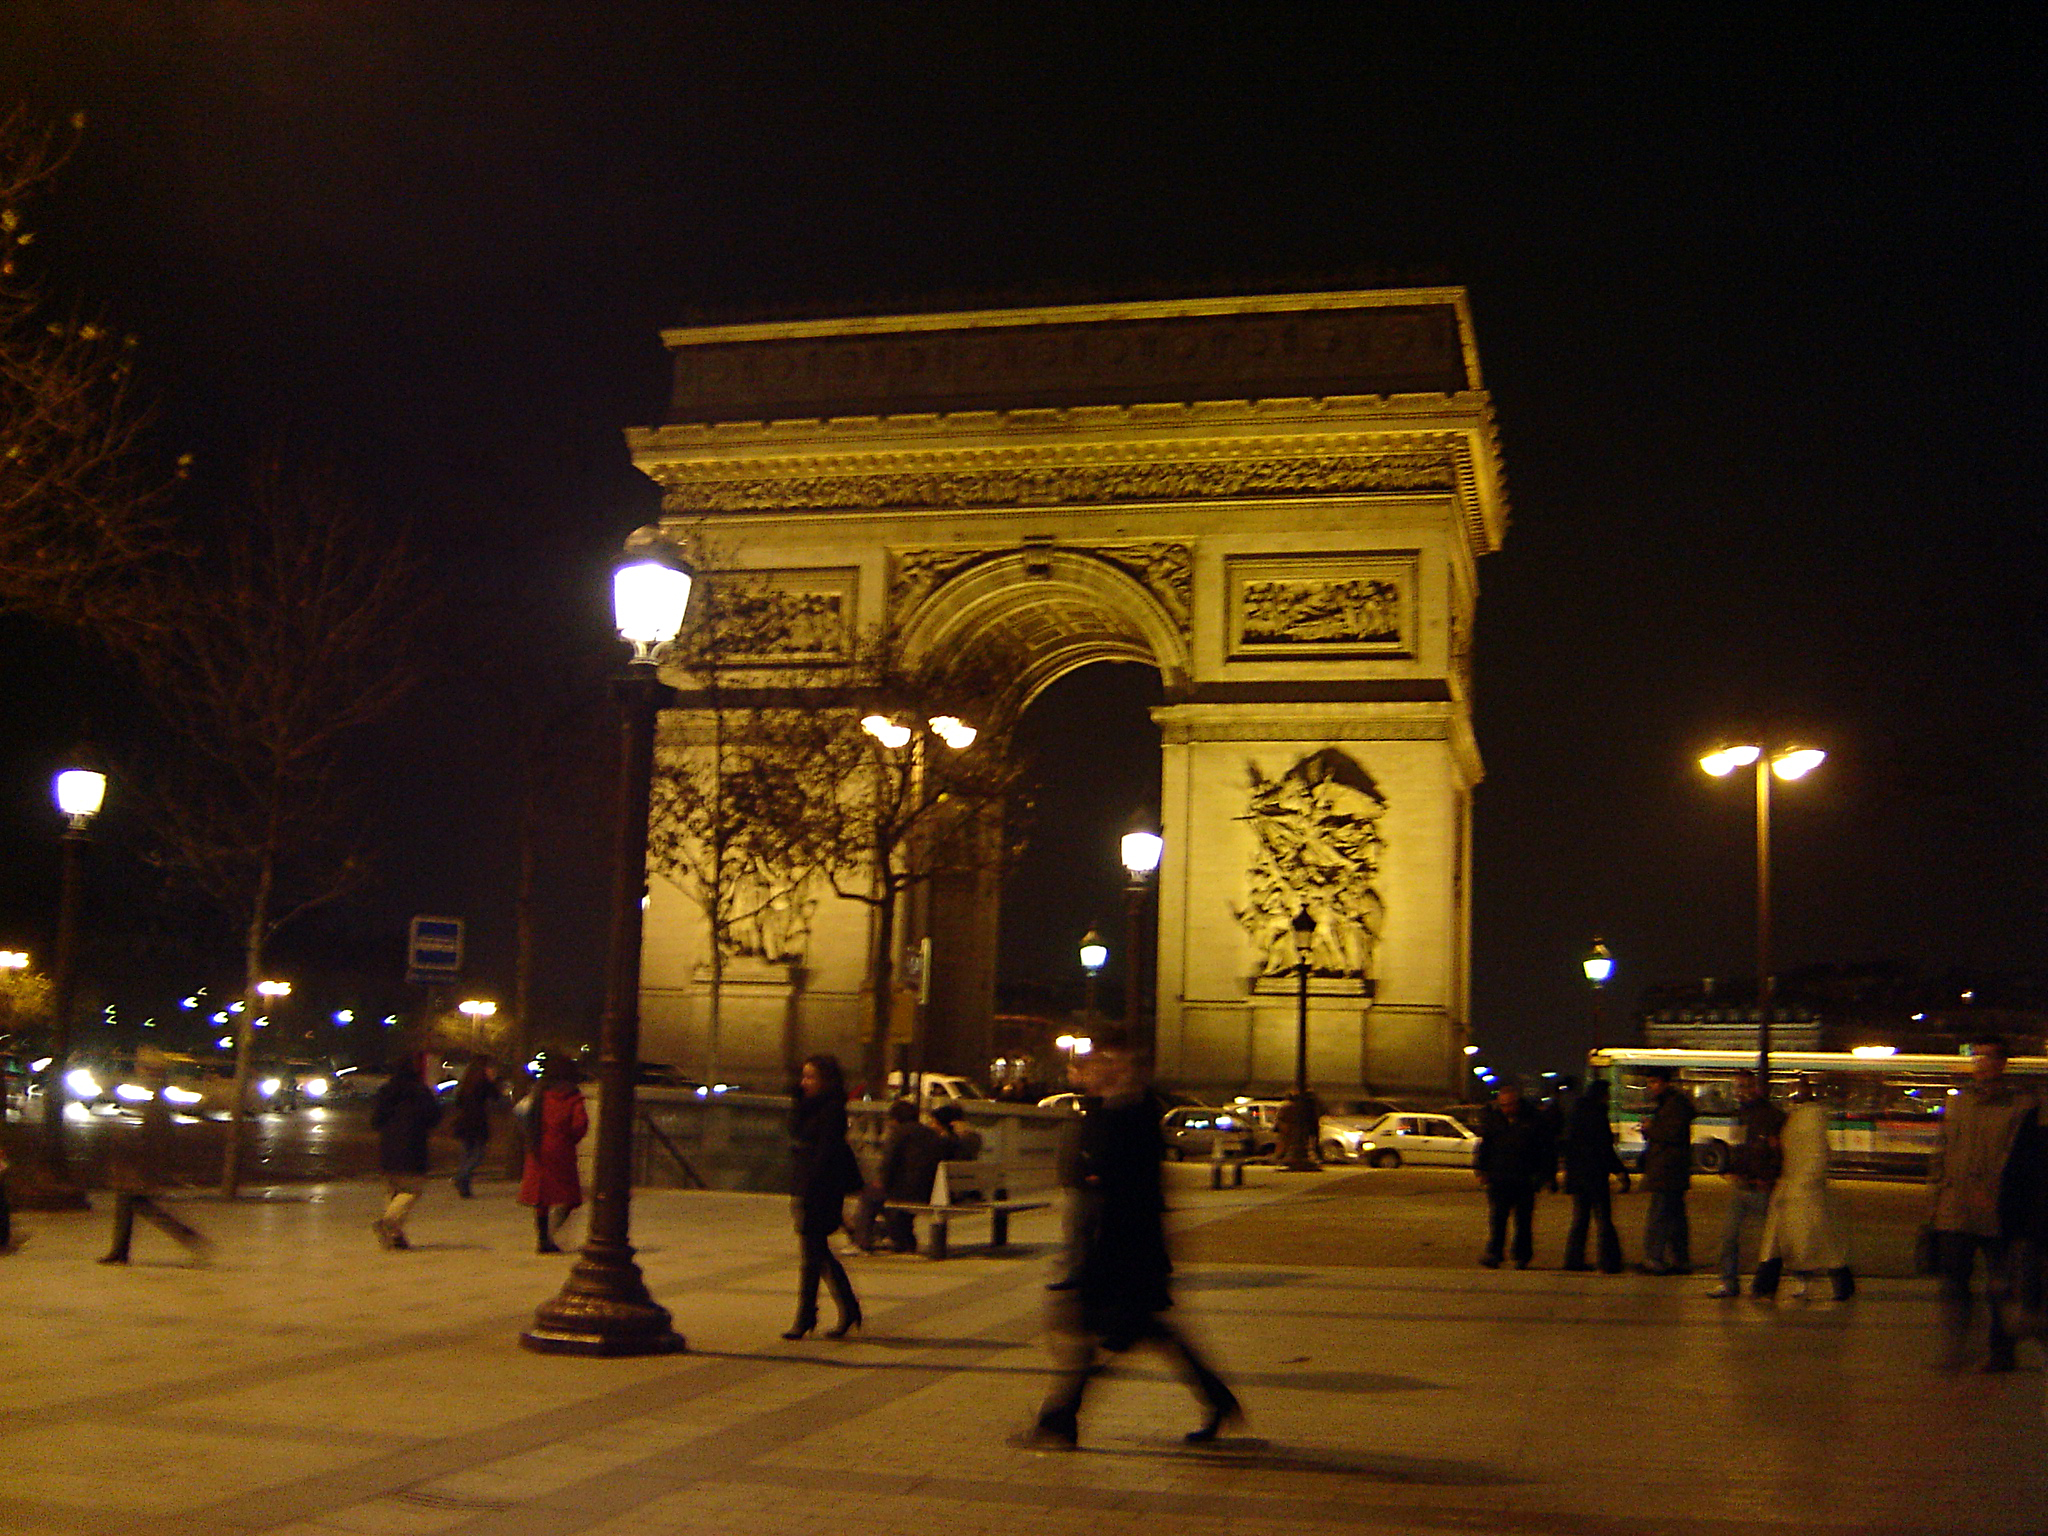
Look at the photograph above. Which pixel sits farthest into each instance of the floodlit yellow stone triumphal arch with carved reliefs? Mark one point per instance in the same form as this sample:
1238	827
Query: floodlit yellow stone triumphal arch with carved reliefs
1279	503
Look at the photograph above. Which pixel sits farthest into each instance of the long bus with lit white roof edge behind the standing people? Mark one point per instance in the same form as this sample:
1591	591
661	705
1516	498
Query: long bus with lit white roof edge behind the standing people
1885	1109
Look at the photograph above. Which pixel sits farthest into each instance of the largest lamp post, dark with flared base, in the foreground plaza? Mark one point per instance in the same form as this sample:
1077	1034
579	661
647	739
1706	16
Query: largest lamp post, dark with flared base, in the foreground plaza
603	1306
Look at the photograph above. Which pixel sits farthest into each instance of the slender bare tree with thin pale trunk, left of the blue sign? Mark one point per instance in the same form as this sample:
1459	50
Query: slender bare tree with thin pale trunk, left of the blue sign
278	650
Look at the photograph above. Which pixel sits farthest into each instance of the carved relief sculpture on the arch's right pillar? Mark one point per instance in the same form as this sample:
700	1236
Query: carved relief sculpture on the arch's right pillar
1316	845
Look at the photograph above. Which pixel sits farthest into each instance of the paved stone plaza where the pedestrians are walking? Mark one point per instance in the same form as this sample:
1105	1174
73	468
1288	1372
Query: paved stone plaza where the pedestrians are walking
314	1383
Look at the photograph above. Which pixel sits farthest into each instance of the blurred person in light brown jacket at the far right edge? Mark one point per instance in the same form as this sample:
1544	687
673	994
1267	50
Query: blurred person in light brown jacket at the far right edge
1979	1191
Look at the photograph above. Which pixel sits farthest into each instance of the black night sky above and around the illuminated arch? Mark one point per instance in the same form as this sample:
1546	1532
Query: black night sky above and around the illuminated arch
1758	302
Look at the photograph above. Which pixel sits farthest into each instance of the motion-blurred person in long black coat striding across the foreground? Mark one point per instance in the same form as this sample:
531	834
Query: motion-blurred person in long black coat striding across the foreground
1119	1279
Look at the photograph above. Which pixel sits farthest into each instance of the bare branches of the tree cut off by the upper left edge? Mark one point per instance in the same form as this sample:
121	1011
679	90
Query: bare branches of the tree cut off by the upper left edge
83	507
